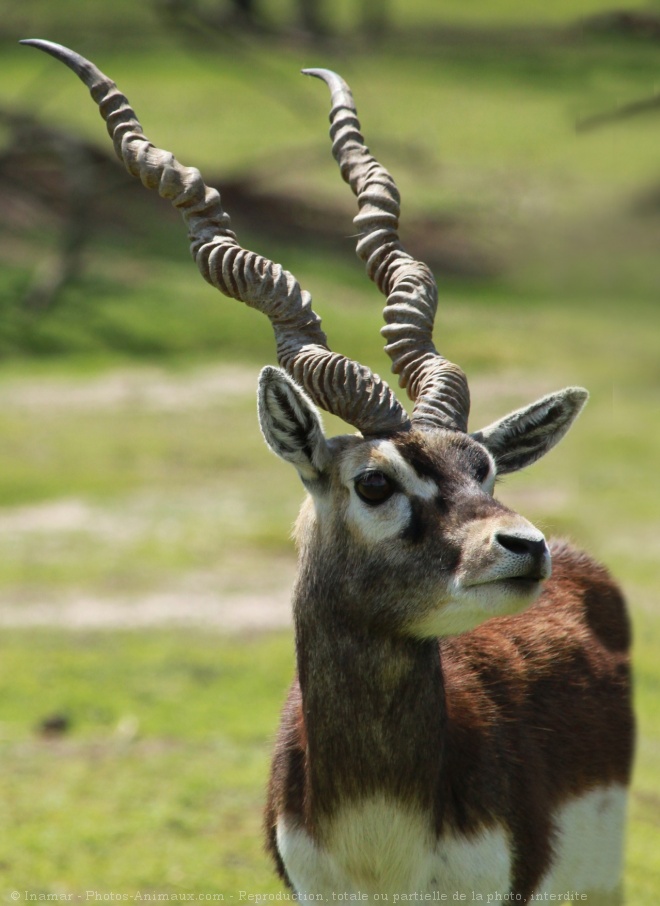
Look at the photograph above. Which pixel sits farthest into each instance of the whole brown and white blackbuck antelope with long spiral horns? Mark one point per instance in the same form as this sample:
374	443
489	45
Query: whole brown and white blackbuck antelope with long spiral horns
460	726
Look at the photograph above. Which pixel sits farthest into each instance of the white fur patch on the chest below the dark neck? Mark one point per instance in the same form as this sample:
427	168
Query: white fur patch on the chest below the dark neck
375	848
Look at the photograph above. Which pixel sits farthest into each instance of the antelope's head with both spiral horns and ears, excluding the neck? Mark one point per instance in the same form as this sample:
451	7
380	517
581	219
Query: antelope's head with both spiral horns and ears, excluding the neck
400	529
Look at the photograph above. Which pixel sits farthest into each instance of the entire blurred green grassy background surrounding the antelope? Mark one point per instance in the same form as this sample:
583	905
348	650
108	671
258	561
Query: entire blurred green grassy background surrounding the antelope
145	557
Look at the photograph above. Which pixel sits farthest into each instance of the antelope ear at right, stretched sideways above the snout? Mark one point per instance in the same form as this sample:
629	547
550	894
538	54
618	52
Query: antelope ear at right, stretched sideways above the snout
523	436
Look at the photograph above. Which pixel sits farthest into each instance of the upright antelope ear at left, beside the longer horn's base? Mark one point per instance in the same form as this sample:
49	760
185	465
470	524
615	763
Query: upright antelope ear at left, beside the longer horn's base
290	424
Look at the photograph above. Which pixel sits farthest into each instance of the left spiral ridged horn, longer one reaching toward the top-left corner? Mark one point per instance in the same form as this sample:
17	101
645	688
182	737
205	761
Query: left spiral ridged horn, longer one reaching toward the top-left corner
335	383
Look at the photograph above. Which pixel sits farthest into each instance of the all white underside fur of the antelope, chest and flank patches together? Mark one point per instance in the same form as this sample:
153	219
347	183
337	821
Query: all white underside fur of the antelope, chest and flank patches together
375	848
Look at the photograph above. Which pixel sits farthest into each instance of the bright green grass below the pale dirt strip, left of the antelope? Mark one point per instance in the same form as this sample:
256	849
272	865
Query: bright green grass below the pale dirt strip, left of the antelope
159	785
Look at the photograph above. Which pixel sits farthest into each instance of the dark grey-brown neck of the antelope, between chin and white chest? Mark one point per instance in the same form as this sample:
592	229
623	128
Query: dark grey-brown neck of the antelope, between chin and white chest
374	712
